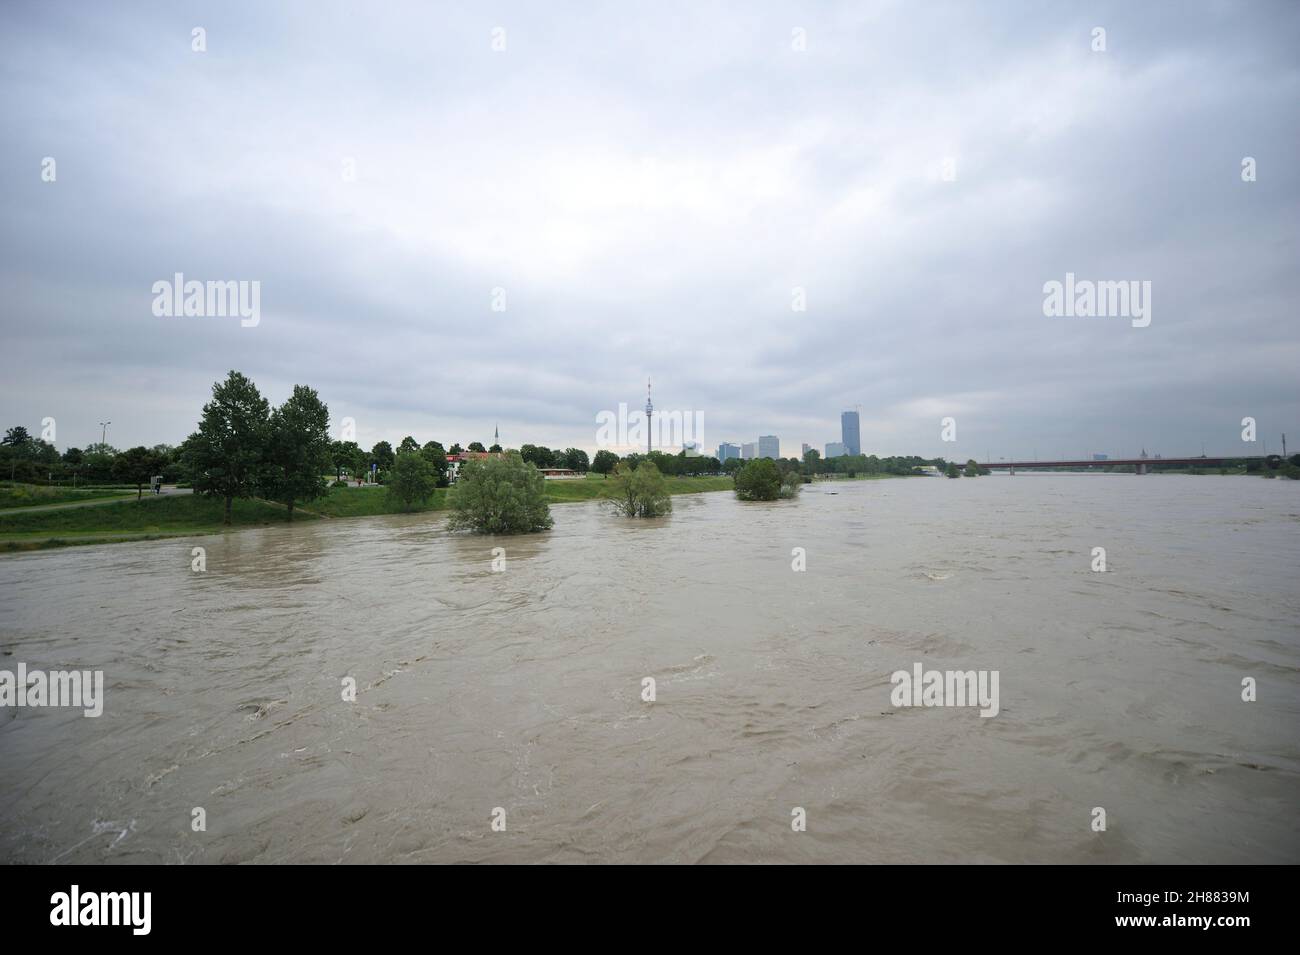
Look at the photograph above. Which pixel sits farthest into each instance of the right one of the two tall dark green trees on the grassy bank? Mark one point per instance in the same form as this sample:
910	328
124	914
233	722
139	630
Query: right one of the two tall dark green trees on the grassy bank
298	453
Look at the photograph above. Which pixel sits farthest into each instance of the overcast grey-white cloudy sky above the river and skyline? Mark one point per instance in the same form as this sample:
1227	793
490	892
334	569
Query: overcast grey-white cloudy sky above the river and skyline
649	184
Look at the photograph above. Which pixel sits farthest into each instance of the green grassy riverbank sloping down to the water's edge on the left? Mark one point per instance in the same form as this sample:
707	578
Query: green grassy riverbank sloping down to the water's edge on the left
190	515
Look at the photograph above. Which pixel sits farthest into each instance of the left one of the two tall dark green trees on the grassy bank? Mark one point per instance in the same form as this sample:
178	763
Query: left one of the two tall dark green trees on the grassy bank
229	450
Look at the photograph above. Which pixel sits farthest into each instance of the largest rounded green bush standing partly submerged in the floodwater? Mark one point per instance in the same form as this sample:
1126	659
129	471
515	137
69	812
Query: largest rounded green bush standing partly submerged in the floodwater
500	496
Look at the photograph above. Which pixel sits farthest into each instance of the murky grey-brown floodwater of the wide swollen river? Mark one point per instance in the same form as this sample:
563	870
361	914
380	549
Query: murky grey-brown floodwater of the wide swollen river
522	691
